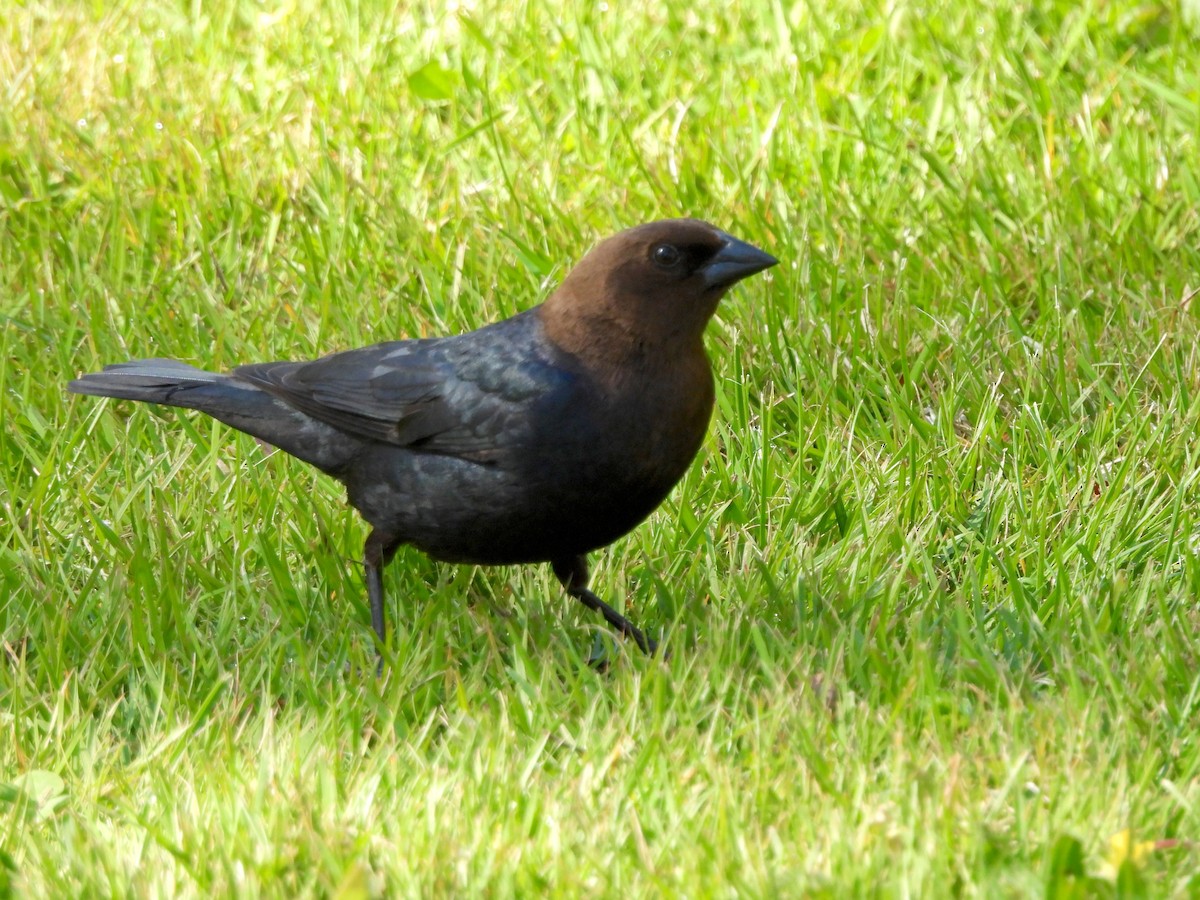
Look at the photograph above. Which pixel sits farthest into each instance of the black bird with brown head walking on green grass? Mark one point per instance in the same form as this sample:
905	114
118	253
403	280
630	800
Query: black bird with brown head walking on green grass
539	439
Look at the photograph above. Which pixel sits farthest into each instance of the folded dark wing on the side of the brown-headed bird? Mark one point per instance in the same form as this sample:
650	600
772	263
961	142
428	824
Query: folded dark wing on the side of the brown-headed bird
464	397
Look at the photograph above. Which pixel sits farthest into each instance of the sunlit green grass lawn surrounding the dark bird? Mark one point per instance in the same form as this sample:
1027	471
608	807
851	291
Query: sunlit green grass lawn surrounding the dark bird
932	586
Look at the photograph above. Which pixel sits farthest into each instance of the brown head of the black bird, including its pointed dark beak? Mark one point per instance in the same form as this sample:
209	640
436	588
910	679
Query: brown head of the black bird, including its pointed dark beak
649	290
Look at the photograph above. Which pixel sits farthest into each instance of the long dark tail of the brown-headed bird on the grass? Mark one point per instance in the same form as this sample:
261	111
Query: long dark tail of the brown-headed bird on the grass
233	401
